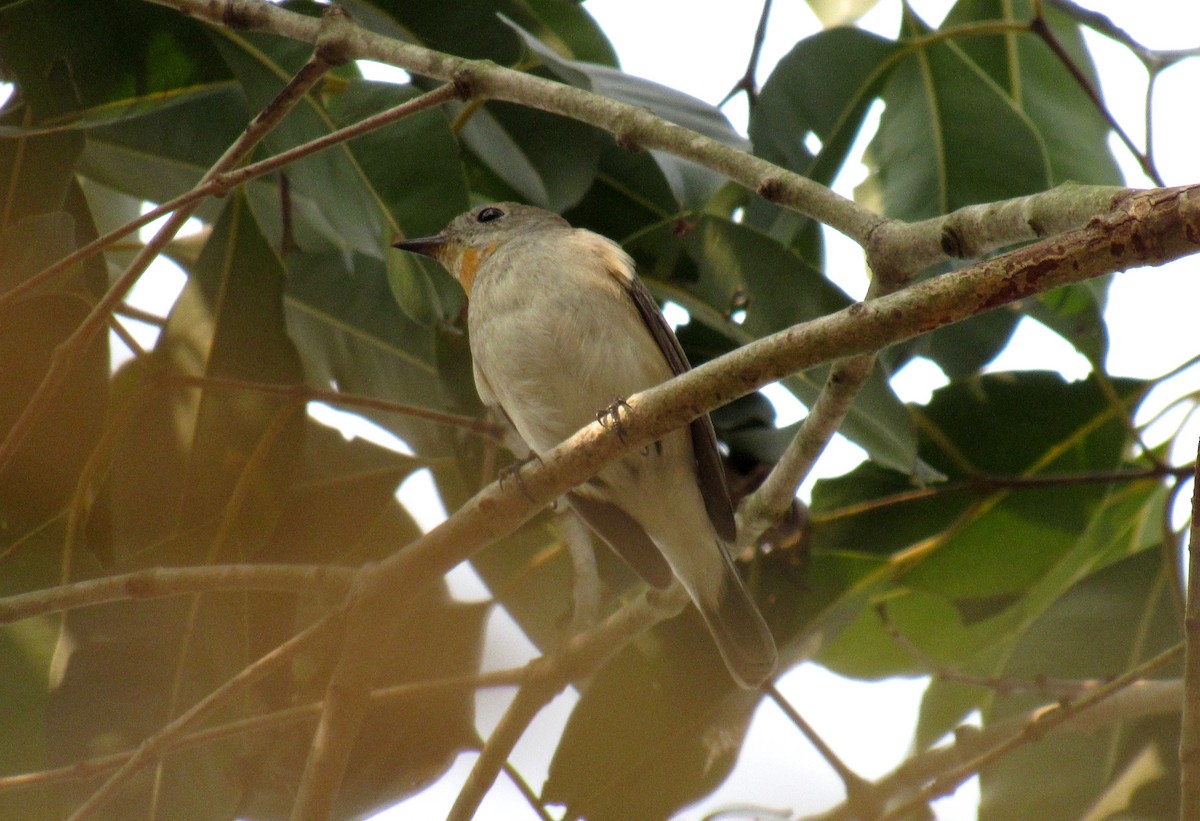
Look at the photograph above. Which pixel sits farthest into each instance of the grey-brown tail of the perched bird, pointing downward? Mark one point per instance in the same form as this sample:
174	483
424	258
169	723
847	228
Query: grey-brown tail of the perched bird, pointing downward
740	631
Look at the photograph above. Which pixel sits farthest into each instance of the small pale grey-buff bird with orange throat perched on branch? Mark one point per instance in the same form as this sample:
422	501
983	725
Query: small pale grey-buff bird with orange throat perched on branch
561	327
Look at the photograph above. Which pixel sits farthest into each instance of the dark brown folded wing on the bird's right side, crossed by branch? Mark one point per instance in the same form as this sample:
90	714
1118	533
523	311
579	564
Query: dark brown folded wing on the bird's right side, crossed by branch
704	439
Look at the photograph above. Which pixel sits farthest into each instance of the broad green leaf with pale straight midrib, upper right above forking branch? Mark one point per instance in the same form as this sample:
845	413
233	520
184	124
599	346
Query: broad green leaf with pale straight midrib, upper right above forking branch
951	136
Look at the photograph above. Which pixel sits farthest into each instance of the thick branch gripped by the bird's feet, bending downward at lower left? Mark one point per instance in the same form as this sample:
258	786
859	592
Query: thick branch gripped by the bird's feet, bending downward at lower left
1148	229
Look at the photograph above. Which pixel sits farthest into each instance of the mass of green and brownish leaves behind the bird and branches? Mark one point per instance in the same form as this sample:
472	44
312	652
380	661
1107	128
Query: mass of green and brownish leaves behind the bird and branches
292	283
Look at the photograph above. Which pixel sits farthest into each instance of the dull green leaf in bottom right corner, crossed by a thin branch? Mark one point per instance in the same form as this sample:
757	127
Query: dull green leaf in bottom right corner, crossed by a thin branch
1129	615
